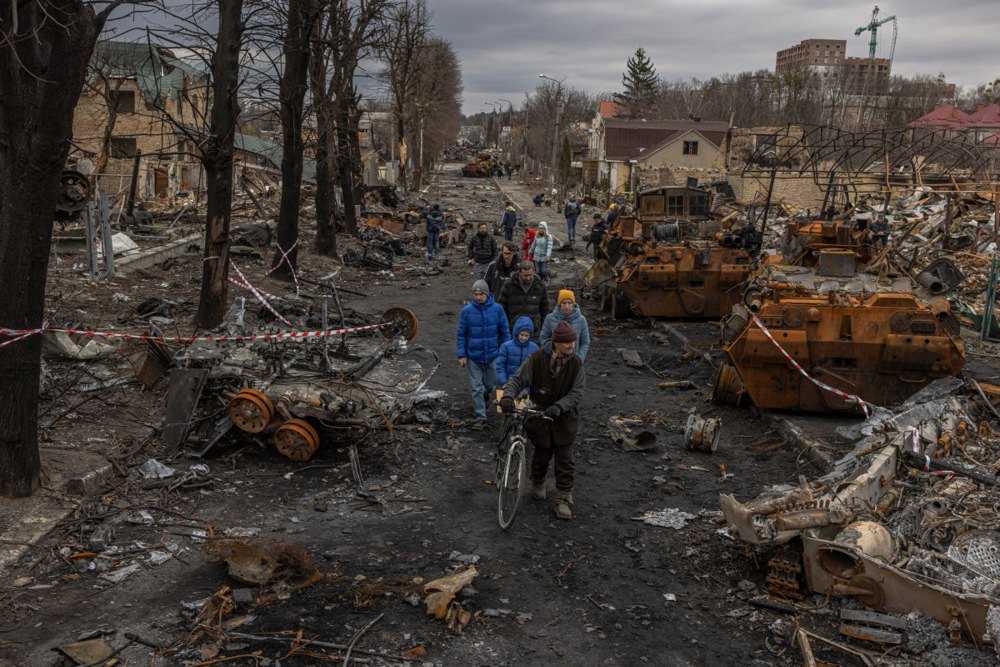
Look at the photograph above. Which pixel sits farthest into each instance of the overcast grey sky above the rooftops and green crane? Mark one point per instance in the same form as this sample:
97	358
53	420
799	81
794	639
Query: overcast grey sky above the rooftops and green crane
504	44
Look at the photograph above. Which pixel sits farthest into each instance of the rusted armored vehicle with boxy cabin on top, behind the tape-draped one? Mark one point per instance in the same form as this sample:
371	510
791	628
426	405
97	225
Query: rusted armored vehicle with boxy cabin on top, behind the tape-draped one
669	259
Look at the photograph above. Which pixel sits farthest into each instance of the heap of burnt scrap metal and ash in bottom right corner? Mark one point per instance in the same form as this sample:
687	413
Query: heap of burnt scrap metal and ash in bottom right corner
907	522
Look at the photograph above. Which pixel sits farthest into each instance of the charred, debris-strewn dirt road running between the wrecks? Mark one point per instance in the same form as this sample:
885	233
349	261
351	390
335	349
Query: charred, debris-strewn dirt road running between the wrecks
602	589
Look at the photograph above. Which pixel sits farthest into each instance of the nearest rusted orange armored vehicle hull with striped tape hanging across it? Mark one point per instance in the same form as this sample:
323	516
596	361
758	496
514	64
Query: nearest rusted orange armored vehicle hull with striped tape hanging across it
879	340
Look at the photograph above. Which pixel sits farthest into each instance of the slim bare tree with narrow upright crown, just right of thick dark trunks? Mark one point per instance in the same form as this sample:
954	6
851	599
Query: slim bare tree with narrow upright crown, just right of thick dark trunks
407	25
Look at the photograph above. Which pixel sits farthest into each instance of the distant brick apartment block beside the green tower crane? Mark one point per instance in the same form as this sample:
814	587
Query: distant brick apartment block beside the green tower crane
827	58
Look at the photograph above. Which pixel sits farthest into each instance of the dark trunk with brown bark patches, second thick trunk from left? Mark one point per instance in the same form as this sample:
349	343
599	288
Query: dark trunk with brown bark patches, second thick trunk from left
217	157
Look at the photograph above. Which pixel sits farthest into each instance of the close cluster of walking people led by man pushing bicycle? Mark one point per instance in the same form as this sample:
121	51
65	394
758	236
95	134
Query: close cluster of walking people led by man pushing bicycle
496	343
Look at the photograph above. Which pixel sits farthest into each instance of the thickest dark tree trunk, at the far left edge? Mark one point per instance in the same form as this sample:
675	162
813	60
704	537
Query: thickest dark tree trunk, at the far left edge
42	70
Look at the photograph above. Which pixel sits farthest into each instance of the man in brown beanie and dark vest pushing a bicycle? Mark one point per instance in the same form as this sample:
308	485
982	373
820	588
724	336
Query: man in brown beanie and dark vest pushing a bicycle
555	382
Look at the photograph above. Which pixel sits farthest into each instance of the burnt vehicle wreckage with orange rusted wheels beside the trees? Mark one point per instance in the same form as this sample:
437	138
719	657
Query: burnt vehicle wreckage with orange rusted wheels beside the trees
330	390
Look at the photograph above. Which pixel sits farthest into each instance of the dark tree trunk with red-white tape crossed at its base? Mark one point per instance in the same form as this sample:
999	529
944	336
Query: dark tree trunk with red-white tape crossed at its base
292	91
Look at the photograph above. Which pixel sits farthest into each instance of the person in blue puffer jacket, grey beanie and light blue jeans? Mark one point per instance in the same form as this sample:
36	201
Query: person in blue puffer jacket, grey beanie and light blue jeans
482	329
